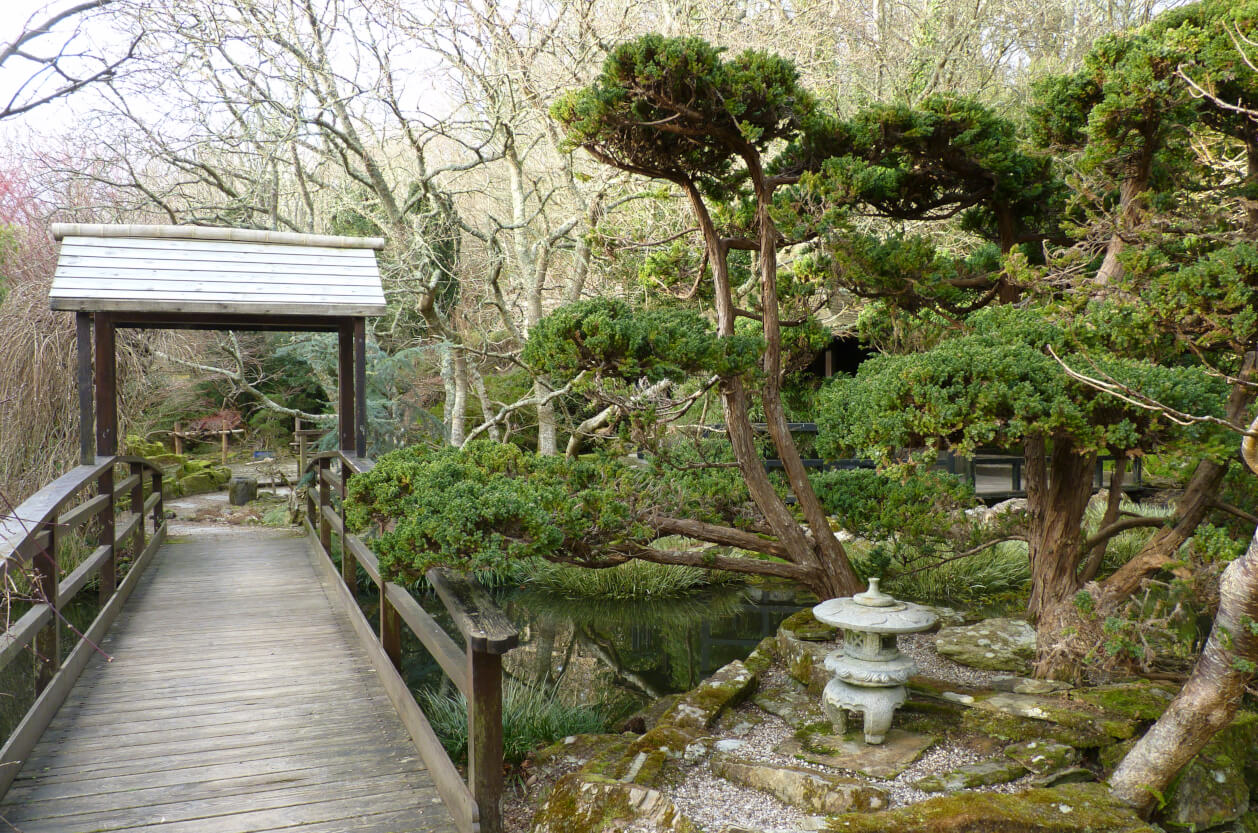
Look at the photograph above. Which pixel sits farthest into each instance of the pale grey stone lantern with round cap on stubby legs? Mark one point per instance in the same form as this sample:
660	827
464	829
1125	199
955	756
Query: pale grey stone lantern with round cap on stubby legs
870	673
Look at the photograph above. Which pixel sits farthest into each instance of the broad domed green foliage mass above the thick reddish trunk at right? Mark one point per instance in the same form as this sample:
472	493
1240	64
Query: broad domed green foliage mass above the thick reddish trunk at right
997	386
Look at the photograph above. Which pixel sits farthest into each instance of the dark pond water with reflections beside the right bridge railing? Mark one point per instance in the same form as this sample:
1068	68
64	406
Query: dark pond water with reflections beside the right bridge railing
618	654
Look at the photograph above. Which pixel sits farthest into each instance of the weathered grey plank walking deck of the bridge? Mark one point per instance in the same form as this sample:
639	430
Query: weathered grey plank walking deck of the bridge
236	702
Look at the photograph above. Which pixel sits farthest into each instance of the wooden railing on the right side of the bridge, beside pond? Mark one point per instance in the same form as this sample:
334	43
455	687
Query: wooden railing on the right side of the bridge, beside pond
476	671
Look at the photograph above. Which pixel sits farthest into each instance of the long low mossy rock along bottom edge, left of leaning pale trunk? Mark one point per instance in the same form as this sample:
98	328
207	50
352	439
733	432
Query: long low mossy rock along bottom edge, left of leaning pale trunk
1072	808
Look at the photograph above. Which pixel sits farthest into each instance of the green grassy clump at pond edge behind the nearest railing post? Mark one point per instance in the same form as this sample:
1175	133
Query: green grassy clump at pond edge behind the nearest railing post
532	718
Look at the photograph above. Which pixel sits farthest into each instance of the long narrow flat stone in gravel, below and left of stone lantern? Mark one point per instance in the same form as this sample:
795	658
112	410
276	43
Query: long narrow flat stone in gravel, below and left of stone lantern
803	788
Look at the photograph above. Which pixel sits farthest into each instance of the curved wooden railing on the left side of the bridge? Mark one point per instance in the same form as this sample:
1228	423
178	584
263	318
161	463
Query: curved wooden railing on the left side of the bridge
31	537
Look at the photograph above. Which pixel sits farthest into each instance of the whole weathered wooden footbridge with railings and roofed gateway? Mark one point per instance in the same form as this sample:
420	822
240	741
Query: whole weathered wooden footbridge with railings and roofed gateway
230	683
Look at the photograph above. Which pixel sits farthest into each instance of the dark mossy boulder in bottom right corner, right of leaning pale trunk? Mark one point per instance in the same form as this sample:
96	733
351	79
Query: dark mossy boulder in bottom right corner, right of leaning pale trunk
1213	790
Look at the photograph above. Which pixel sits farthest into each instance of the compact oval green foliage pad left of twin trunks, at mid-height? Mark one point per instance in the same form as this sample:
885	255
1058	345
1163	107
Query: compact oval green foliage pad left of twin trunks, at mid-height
615	340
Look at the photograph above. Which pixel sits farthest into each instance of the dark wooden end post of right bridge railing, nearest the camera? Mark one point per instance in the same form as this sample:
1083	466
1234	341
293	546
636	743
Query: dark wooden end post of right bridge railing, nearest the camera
485	737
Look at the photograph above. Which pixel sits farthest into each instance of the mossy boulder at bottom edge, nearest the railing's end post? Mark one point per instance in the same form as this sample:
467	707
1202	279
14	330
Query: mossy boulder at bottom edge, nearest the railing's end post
587	805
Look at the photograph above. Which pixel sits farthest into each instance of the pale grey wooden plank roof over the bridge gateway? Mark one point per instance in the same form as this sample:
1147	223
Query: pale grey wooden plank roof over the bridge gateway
201	270
